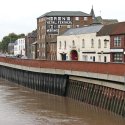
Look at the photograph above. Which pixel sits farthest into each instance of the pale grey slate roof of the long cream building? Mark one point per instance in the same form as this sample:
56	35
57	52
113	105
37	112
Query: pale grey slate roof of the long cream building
84	30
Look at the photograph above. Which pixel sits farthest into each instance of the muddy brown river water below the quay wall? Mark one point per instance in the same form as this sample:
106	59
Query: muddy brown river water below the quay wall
23	106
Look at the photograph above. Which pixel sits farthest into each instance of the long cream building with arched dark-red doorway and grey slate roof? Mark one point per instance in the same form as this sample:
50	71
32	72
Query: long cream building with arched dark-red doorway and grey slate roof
83	44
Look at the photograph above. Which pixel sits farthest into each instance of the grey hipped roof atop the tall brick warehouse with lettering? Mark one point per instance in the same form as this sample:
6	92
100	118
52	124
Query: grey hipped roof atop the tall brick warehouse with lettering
64	13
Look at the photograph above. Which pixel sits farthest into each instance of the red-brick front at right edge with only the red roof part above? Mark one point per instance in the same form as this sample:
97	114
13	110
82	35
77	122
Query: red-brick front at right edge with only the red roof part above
118	43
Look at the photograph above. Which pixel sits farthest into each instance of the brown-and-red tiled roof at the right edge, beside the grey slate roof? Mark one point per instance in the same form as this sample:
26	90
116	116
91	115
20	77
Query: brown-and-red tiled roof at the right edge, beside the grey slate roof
112	29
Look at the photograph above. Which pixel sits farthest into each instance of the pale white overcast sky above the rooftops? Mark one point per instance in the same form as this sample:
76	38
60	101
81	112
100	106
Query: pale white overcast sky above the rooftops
19	16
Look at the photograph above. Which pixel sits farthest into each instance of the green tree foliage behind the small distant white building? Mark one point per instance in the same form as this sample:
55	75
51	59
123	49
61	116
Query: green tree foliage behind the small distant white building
12	37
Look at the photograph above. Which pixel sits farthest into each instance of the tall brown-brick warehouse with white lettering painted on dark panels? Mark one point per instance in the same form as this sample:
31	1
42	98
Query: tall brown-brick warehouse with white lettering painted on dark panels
55	23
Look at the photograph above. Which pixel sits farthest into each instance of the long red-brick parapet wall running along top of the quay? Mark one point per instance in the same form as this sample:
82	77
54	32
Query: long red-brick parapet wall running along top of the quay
95	67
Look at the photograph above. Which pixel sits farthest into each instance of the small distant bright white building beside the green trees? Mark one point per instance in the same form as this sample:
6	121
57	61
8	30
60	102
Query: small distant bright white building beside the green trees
19	47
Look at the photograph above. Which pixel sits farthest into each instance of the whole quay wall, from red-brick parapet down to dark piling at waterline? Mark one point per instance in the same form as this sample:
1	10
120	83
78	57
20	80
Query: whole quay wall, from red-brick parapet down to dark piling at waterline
92	86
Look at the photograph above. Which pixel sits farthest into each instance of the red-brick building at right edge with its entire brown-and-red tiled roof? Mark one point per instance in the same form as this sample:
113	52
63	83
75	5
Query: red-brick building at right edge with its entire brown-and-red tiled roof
117	40
